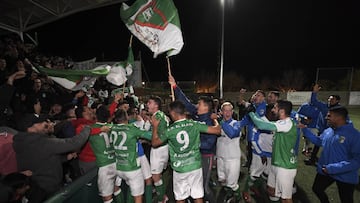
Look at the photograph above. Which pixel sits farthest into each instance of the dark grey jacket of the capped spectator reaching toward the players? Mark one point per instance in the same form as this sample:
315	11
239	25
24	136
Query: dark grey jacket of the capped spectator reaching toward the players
44	155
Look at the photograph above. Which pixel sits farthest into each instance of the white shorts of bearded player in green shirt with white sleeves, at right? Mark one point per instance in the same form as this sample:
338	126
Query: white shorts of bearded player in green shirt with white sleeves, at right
282	180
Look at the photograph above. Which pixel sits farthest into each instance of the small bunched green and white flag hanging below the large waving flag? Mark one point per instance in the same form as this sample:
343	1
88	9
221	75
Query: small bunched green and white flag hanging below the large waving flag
121	70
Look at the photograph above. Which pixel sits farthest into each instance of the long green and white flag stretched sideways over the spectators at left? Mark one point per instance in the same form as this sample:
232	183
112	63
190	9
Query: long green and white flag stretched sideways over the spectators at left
75	79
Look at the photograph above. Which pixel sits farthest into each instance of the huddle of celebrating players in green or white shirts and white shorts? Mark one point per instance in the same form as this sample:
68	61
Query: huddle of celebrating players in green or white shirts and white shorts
190	137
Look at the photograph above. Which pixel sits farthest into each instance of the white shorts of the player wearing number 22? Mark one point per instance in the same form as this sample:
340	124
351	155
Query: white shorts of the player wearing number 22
134	179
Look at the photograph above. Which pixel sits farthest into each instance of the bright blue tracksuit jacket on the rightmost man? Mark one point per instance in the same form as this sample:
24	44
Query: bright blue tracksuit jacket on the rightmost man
340	154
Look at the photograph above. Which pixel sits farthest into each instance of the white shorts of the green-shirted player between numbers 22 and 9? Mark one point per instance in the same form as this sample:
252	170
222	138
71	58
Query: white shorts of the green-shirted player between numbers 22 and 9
159	159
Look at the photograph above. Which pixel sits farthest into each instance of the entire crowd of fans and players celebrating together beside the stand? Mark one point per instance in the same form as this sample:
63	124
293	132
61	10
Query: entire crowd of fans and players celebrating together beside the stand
50	136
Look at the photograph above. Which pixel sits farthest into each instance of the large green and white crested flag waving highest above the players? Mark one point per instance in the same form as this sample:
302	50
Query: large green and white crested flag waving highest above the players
156	23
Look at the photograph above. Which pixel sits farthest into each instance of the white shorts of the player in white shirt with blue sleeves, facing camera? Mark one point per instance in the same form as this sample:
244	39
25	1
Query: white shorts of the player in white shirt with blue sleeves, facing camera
228	171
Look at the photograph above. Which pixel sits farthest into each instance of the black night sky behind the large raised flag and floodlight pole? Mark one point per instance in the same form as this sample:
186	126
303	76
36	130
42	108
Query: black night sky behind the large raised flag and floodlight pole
275	35
